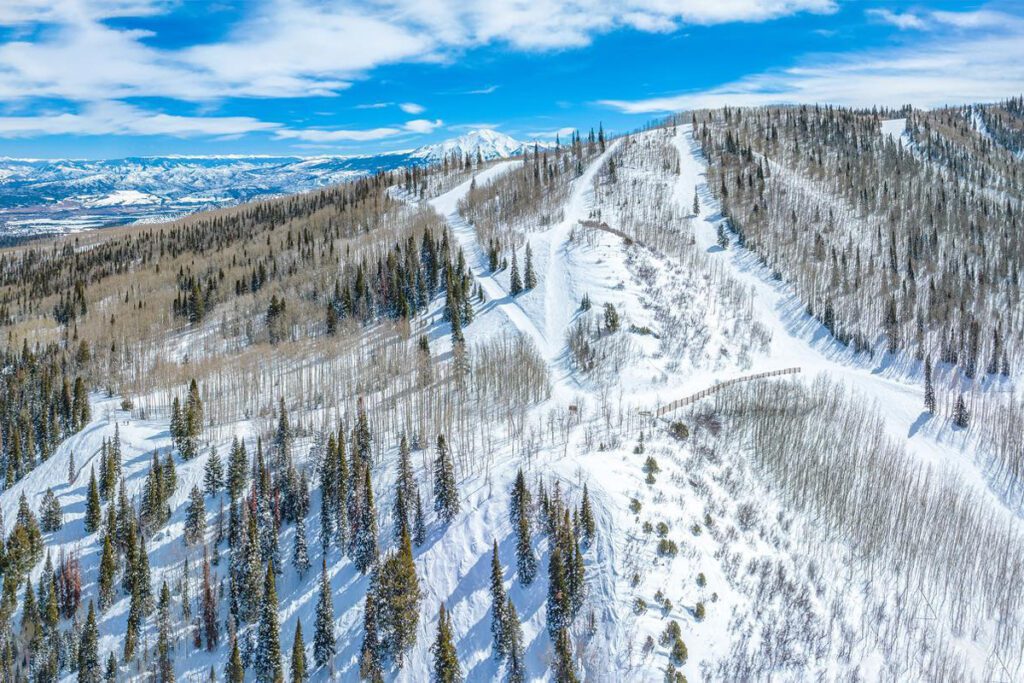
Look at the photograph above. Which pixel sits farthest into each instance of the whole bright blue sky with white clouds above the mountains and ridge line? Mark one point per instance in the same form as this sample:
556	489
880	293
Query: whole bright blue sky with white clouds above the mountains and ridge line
115	78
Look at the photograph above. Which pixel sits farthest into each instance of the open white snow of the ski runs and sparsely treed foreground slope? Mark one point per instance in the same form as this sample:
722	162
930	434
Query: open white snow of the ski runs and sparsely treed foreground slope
741	584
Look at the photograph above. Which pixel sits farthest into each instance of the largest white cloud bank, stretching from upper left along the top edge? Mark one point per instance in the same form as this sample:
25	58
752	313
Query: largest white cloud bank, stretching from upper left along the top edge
312	48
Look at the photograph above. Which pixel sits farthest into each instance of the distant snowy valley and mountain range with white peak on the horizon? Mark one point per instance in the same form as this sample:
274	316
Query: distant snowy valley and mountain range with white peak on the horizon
49	197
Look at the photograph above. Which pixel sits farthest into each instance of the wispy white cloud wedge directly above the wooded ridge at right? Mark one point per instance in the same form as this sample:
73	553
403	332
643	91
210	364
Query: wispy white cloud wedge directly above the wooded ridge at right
941	70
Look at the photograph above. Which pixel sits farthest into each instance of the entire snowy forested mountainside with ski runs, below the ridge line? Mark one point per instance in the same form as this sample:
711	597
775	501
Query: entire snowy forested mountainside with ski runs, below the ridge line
421	425
